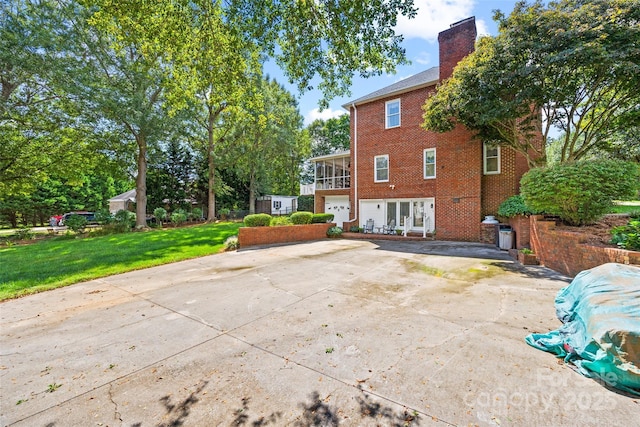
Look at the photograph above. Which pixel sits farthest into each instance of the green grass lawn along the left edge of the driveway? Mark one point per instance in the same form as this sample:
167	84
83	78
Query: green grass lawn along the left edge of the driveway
58	262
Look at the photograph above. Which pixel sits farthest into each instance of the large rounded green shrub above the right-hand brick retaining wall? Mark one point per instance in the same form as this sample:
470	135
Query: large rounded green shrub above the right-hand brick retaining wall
580	193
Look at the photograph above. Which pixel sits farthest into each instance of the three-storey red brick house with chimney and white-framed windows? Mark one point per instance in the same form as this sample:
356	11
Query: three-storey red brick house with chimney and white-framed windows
422	181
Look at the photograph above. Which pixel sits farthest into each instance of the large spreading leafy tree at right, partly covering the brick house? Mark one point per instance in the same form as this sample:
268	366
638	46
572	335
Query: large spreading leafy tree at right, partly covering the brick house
572	65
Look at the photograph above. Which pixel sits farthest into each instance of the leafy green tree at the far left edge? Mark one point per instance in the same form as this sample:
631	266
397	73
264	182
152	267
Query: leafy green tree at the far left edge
39	129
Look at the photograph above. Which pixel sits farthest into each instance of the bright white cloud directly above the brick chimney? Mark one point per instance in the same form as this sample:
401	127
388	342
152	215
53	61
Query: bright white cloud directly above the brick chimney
434	16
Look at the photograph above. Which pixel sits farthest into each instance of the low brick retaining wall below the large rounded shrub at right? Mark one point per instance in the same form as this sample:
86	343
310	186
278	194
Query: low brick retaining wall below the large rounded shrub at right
566	252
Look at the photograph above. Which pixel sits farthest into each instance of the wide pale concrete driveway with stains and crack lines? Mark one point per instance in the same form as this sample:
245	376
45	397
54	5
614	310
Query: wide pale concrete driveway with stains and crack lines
334	332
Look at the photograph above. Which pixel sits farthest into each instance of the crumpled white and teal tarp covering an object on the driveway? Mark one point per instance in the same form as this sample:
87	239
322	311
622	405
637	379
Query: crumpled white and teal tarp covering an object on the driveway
600	335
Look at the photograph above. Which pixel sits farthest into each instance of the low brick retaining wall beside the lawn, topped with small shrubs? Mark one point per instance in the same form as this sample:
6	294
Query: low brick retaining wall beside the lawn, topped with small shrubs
252	236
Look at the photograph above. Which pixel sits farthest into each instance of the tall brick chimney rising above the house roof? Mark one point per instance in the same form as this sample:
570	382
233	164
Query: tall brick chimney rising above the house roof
456	43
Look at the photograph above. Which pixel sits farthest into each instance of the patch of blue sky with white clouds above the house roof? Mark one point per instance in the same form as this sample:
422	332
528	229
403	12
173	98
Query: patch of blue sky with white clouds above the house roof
420	43
